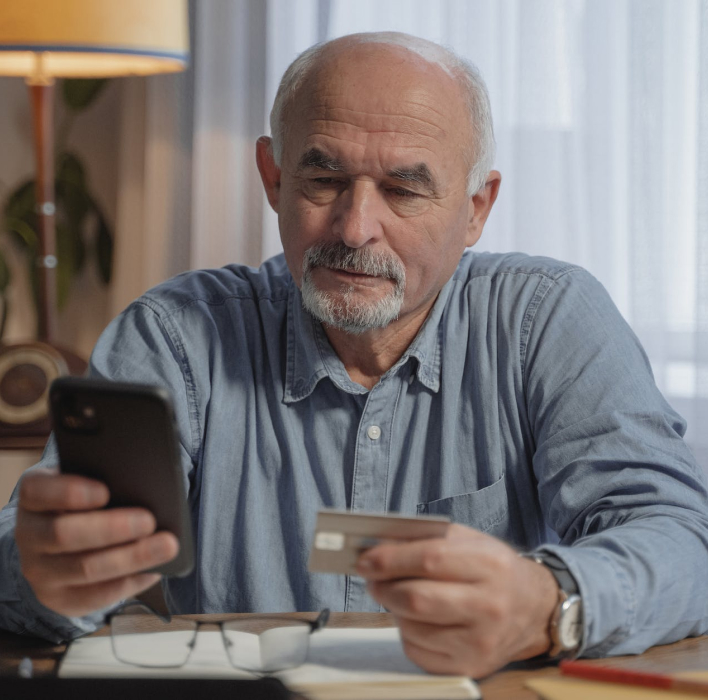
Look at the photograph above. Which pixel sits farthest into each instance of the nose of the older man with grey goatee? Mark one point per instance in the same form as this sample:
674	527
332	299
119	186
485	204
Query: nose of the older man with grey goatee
358	215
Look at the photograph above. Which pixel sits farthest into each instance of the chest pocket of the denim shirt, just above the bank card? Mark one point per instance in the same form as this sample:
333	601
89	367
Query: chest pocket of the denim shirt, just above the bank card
486	510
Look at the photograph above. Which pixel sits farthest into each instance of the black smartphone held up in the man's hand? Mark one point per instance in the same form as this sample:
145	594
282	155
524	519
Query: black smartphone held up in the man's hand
124	435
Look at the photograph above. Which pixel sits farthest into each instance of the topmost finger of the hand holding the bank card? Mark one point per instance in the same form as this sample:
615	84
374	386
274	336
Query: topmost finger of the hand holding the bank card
443	559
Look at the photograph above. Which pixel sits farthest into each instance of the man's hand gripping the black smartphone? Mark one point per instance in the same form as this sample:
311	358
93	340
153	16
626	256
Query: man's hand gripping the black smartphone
78	558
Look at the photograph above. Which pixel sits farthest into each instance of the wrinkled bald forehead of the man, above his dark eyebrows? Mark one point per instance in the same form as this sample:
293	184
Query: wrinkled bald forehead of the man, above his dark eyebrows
379	93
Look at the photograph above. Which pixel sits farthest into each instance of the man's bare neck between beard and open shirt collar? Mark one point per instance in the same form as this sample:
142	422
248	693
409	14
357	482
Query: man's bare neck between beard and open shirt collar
368	356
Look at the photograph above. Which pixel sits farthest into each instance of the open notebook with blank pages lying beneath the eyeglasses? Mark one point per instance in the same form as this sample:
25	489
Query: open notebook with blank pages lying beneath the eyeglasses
342	664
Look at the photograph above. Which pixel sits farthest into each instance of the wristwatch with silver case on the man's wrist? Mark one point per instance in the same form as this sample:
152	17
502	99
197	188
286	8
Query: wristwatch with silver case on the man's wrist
566	628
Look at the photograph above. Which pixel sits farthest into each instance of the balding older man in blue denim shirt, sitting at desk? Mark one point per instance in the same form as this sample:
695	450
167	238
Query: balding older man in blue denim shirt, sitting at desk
379	367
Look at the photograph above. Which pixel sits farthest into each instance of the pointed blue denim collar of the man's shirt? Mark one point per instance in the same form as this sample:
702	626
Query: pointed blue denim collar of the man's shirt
310	357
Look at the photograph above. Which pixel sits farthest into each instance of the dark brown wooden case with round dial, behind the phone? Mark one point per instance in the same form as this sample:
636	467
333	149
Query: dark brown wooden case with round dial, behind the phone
26	372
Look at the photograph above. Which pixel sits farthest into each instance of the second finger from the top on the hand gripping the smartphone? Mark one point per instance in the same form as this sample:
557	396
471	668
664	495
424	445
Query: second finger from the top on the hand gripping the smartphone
77	532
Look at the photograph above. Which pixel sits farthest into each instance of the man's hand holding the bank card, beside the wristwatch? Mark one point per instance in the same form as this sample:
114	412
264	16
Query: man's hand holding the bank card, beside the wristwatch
465	604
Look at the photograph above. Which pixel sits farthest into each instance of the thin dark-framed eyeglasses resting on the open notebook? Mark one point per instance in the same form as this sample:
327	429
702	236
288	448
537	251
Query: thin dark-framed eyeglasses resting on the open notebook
260	646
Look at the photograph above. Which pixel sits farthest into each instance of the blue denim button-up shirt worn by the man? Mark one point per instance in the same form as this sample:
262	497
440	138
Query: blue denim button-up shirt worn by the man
525	408
